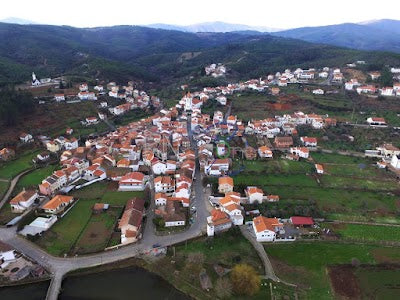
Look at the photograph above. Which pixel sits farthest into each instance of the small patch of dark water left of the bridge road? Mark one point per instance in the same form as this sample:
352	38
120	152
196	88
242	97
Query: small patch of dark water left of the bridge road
36	291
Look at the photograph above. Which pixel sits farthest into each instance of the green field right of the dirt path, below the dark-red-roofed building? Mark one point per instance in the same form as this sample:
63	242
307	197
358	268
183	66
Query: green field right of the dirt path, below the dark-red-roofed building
305	264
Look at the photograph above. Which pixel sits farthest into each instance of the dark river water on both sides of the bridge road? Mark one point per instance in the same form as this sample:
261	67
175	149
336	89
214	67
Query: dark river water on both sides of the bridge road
120	284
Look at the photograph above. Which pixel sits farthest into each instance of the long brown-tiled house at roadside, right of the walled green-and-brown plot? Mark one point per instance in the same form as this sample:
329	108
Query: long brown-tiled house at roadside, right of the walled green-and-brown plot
130	223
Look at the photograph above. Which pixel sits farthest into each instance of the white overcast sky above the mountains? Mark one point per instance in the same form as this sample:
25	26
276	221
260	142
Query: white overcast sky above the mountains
278	14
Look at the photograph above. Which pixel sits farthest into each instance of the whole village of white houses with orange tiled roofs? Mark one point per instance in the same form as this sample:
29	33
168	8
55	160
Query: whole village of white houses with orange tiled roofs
181	167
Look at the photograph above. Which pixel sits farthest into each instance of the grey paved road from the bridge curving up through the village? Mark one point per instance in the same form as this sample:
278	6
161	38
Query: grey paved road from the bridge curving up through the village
60	266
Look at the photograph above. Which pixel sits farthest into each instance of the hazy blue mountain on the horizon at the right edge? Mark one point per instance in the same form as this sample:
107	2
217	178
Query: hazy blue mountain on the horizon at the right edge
372	36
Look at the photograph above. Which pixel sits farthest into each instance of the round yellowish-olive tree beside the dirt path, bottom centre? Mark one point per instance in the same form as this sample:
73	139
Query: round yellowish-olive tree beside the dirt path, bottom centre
245	280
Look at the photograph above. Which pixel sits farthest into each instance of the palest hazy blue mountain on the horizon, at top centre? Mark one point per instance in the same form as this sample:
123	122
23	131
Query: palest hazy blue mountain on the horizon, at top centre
213	27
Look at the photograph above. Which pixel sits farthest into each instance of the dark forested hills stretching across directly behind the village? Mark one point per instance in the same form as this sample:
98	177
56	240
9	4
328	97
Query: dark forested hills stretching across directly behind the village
133	52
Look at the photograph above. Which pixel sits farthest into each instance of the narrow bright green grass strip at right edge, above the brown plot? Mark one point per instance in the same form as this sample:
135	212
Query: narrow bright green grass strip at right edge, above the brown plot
369	232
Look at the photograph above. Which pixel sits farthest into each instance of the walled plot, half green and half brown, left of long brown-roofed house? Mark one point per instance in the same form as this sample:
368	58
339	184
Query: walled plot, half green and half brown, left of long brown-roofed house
79	231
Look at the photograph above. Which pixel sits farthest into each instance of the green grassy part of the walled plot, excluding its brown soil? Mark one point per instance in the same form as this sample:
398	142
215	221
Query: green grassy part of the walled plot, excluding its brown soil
65	233
